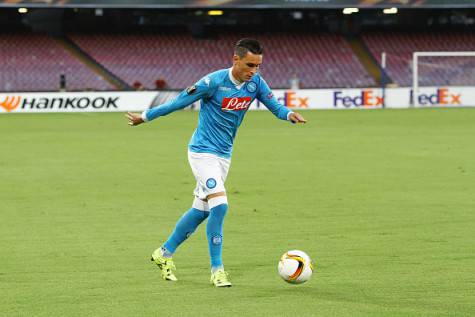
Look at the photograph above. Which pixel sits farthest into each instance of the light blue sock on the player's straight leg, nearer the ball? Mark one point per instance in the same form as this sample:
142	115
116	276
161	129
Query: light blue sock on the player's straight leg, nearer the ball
214	231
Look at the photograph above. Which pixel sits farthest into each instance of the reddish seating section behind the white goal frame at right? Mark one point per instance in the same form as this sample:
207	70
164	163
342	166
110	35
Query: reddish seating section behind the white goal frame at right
433	71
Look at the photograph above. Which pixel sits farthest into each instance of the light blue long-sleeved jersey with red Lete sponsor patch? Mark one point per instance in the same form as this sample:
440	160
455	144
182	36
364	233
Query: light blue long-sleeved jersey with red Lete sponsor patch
224	102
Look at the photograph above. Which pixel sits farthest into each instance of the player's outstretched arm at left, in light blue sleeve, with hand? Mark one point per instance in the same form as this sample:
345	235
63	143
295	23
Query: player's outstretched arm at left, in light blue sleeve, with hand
201	89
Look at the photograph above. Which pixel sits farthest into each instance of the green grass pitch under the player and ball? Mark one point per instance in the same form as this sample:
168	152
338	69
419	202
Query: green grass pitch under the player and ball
383	201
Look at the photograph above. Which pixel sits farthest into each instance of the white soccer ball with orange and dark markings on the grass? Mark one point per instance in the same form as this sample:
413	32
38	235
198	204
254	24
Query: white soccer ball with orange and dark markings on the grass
295	267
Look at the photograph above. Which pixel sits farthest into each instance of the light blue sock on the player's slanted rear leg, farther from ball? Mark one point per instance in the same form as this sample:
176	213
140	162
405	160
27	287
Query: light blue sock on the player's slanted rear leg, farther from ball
184	228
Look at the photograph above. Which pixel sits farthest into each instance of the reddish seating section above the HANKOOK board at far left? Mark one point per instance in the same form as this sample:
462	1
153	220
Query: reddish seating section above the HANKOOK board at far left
32	62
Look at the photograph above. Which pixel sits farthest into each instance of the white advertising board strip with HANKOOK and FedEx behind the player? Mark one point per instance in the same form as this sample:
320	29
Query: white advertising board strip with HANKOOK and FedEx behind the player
365	98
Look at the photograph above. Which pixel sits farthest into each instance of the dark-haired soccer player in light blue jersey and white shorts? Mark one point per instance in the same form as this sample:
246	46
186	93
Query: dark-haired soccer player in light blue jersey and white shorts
225	97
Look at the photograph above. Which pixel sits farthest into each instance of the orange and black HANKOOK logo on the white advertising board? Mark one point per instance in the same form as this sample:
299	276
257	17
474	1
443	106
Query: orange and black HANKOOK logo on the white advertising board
11	103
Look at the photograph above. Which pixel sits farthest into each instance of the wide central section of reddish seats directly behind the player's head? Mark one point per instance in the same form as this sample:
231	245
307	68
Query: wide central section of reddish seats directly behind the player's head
319	60
